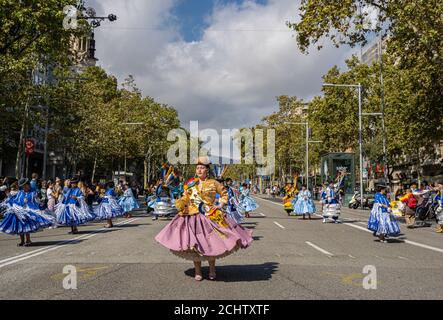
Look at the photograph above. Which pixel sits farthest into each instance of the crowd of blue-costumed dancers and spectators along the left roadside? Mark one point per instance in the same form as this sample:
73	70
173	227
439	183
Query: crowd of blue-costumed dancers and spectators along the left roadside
27	206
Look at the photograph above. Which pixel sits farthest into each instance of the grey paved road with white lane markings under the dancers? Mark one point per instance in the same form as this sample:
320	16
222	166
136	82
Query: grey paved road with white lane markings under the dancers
289	259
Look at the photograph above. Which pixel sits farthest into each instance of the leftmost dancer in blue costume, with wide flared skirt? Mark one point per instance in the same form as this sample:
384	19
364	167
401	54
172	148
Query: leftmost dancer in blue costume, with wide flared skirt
23	214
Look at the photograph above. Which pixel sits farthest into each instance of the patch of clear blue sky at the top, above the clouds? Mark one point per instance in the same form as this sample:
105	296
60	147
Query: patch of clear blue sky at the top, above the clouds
192	15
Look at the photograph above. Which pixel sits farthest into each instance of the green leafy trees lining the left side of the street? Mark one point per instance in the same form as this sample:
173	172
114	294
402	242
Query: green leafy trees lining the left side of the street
88	113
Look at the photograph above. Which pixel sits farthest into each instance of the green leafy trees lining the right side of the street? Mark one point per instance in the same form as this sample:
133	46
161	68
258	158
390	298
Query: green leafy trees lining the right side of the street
411	91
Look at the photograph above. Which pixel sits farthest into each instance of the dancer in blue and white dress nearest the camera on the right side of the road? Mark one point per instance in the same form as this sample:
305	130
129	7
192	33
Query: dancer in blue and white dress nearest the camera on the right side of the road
381	220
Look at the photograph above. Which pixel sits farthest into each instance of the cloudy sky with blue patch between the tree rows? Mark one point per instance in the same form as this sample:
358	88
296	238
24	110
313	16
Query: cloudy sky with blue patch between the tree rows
221	62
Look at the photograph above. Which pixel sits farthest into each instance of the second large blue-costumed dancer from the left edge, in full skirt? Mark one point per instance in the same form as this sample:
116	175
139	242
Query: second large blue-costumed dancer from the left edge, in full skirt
73	210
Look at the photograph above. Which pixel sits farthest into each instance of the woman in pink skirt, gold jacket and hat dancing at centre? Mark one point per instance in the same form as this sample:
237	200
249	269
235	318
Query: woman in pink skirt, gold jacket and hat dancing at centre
201	231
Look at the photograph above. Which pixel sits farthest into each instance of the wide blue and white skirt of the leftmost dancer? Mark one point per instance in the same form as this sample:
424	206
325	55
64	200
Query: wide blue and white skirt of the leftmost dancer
19	220
